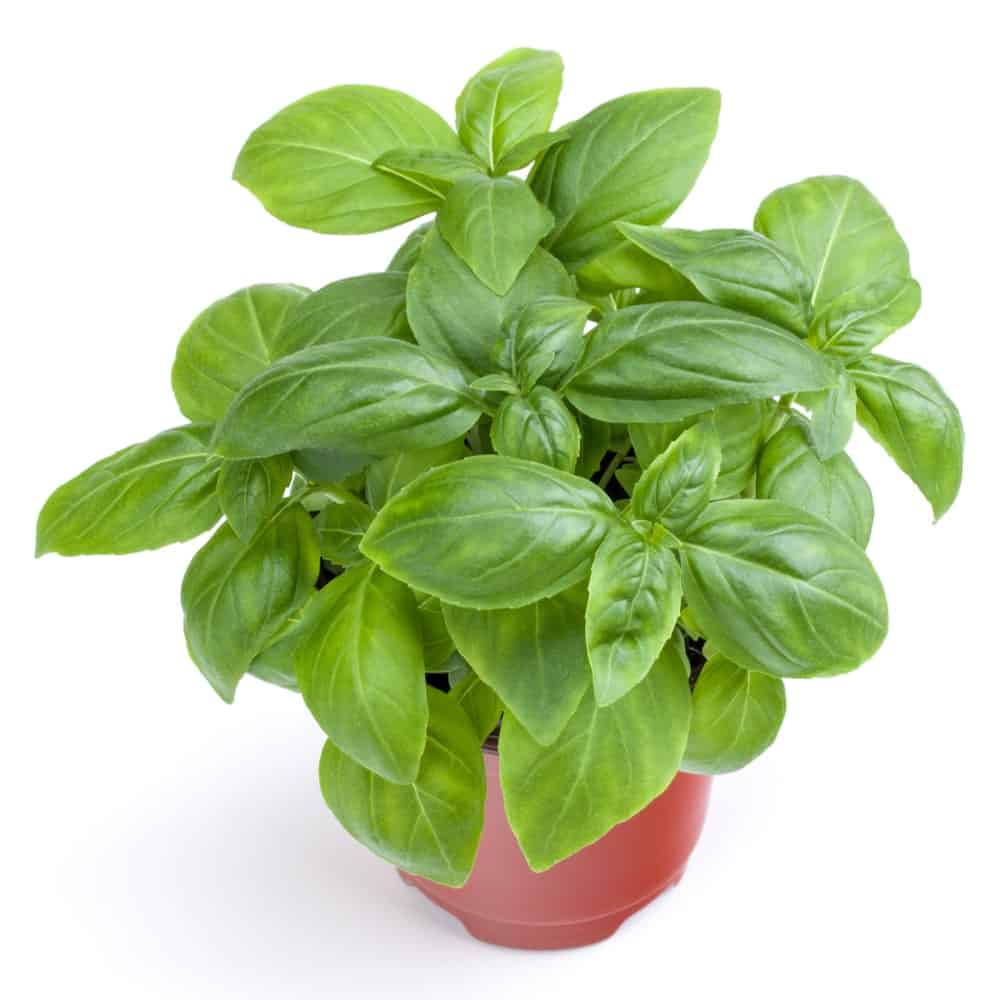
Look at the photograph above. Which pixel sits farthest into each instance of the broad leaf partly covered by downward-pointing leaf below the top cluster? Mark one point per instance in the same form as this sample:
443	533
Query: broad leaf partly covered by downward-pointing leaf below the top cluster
453	313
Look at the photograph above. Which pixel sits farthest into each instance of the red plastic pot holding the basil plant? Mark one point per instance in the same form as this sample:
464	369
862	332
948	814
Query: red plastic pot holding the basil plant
585	898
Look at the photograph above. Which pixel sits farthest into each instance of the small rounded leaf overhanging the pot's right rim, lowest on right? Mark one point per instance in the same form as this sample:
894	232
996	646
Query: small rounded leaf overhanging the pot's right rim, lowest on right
735	717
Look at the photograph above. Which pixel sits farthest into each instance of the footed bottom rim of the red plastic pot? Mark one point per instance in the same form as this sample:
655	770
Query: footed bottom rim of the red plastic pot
543	937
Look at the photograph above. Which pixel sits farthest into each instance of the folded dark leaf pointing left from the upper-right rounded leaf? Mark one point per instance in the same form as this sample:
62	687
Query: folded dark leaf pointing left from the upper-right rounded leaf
733	268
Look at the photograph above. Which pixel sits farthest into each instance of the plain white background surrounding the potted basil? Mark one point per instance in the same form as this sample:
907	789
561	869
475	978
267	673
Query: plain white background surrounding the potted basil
157	843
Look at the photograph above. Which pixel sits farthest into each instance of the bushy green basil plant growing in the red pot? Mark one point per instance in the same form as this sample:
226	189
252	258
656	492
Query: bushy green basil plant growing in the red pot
557	463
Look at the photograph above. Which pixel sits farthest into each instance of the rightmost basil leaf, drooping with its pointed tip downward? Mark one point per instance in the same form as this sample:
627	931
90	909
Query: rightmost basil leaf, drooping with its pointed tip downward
904	408
